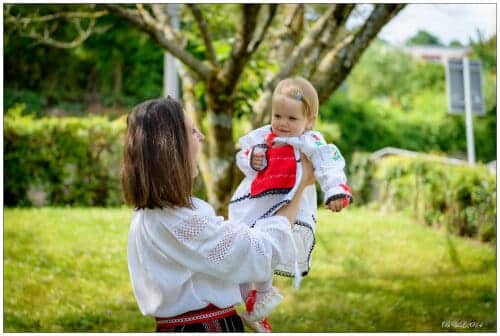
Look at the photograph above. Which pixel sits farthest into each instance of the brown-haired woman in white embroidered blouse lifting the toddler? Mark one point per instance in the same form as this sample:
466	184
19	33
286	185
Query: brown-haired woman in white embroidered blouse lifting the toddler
185	262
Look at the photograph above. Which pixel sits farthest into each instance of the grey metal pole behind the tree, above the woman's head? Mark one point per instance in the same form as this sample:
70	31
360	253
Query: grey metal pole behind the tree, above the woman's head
170	77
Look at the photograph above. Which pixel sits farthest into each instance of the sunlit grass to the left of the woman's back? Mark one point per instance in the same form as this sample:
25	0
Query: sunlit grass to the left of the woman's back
66	270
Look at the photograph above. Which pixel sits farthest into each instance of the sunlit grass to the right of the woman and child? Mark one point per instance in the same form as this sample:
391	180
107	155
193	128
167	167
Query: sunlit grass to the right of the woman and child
374	272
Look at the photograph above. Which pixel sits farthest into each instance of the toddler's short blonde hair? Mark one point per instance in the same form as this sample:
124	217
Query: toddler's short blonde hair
300	89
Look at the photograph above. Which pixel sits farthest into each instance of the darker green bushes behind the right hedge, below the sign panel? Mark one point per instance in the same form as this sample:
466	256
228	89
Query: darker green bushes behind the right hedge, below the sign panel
355	125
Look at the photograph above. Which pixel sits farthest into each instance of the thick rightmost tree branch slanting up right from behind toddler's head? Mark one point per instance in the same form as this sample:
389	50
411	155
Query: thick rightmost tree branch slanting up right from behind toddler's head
338	63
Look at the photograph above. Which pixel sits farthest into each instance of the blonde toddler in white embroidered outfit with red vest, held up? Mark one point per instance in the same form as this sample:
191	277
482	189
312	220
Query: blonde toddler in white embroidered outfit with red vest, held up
270	159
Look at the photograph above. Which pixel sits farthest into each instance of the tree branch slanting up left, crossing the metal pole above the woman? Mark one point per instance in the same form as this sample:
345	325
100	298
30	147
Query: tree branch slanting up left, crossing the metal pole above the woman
203	71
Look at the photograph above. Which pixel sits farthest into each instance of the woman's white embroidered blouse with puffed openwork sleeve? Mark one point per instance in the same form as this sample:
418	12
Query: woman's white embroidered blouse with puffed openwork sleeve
182	259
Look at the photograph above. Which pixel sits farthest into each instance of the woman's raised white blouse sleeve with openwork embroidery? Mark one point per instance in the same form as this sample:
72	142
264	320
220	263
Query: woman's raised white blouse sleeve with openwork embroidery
206	243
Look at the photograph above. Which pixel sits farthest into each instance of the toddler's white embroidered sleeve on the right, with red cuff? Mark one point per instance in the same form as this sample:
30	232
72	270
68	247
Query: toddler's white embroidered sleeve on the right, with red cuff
329	166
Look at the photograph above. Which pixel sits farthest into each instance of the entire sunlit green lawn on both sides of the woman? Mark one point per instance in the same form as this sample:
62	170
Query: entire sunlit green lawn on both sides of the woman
65	269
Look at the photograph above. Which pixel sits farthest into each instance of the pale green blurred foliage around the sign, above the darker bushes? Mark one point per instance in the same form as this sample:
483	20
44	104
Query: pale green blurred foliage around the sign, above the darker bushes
385	73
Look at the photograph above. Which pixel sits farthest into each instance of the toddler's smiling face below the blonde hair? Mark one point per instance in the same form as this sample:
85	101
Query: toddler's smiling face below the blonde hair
288	117
